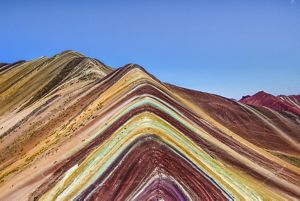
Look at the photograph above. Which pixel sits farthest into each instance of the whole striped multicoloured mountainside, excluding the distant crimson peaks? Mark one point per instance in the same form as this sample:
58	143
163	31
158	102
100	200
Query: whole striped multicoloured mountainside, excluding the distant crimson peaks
74	128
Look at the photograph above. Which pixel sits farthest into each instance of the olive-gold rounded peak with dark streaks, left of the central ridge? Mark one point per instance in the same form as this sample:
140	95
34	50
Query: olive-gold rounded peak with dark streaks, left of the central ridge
39	77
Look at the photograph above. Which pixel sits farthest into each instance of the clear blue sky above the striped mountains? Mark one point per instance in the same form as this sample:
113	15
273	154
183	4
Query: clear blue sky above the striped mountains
228	47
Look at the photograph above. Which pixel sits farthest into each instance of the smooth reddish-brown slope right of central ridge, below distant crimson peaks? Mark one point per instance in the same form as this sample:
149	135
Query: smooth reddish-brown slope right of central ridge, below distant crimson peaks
261	126
